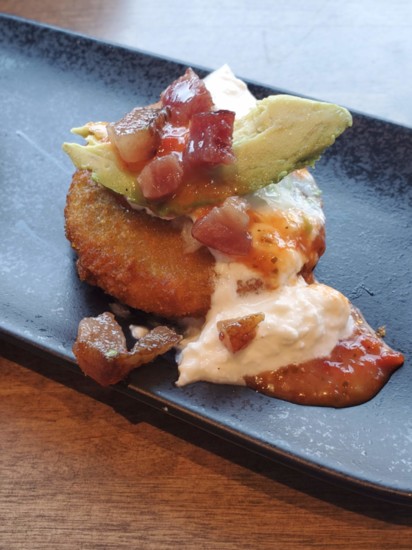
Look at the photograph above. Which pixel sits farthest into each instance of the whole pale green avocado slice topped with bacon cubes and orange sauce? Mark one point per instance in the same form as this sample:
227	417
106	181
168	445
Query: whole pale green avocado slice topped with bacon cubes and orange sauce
281	134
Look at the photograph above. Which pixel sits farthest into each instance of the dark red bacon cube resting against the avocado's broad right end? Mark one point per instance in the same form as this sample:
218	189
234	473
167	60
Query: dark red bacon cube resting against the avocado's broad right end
210	138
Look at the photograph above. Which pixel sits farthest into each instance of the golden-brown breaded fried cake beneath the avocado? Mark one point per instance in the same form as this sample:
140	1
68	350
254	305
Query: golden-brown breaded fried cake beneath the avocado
138	259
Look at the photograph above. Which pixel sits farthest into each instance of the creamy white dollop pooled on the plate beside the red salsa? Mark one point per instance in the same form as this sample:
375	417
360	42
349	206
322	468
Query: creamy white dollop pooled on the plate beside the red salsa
301	322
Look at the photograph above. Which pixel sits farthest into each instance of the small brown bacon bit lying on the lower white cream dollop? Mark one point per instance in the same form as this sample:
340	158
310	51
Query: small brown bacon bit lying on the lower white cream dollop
237	334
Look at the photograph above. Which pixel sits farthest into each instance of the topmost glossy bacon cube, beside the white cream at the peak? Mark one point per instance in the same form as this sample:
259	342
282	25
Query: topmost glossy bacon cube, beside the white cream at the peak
186	96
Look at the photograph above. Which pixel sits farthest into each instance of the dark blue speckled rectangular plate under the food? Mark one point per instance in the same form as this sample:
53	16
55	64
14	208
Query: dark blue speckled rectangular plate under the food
52	80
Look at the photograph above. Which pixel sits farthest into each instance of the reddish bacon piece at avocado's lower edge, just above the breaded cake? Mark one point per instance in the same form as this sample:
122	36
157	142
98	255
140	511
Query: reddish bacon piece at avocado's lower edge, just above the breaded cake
161	177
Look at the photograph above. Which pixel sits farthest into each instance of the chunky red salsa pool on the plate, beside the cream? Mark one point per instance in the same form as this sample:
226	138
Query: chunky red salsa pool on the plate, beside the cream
354	372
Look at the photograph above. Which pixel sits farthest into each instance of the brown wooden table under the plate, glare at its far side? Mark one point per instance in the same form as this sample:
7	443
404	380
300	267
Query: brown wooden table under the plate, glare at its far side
83	467
